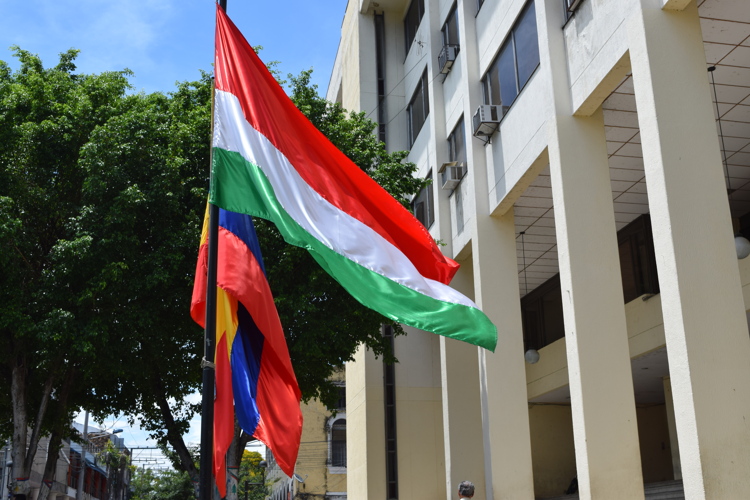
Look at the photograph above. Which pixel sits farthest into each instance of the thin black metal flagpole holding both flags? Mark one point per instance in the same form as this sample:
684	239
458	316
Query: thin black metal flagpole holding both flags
207	403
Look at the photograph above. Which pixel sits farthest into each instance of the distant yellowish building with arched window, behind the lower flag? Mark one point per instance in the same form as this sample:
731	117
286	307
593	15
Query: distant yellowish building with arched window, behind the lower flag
321	464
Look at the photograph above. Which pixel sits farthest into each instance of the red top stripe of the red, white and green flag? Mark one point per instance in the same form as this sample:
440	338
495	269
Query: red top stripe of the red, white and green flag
328	171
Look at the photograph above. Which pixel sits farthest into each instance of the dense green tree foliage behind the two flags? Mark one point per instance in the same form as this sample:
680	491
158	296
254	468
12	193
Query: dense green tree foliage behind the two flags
102	193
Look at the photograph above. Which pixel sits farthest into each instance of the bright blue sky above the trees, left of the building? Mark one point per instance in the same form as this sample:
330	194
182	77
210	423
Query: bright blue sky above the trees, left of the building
170	40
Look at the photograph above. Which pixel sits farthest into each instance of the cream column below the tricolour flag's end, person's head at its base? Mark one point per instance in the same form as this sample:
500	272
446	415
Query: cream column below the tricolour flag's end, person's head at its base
462	416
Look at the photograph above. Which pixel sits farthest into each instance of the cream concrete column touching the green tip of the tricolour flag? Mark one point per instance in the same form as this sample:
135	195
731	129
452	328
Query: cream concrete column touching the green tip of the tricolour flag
502	373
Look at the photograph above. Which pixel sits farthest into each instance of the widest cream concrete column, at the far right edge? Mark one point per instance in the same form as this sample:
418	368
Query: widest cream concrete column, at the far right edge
704	316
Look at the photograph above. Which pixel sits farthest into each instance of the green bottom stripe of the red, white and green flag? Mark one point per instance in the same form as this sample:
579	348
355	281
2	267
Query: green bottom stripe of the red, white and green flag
246	189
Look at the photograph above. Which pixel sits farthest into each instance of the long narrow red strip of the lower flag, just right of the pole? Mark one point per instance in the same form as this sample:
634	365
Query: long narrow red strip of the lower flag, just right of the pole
223	414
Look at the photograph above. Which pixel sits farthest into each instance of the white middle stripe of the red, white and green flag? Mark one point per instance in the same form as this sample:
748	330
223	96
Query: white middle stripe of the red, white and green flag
335	228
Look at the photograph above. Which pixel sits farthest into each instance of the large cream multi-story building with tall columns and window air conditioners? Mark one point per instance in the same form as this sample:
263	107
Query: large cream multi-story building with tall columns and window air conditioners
589	172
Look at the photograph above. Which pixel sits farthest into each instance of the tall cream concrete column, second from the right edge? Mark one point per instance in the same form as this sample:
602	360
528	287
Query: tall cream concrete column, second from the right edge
605	428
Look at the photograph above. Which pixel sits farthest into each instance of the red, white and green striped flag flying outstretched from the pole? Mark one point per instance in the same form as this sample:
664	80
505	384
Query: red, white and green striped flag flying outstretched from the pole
269	161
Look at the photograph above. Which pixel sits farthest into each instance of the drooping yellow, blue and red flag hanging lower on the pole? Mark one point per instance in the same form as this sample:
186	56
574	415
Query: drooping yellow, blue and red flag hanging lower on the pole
254	375
